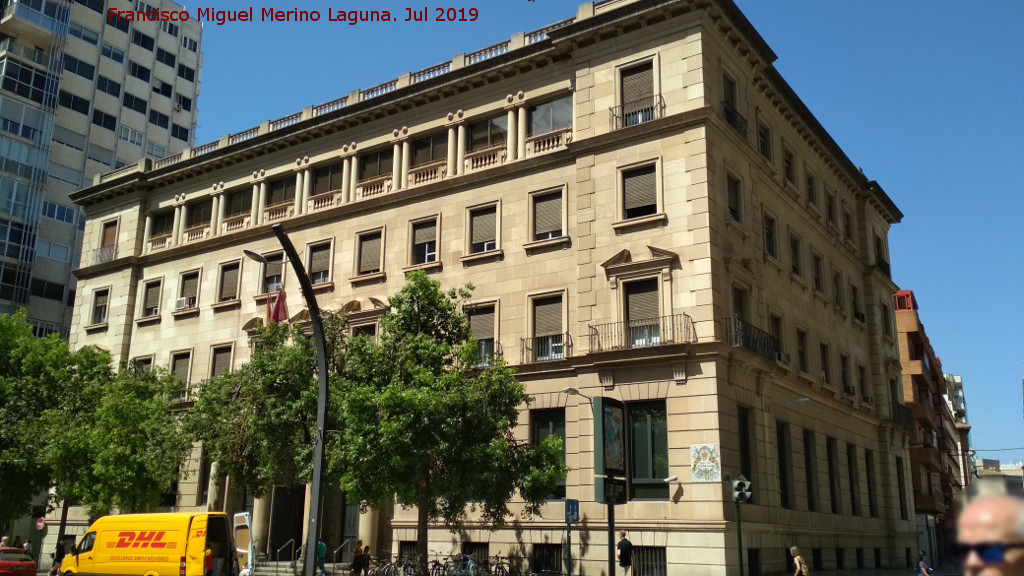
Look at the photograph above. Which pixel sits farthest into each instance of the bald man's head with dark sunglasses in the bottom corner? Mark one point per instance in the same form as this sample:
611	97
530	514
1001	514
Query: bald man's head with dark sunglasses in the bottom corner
991	538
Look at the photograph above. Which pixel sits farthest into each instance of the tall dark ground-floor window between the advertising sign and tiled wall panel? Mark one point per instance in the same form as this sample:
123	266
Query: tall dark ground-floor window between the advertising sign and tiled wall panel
649	450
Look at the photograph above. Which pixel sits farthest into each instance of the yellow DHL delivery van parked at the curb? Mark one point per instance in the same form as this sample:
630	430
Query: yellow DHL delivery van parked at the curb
161	545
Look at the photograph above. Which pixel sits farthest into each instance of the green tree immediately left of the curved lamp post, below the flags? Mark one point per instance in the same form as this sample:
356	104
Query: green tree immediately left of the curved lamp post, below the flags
251	419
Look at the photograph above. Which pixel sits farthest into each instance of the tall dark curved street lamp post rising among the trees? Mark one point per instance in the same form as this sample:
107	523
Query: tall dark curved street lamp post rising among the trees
318	328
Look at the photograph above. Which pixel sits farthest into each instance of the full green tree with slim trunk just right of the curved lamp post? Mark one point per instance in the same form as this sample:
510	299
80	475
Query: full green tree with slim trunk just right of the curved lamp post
420	421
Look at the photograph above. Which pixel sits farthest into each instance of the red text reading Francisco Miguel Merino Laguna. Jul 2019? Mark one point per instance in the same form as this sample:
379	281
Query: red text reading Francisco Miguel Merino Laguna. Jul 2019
270	15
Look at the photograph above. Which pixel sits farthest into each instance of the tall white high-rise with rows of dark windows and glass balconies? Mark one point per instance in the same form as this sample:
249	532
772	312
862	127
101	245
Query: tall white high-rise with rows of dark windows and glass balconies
80	95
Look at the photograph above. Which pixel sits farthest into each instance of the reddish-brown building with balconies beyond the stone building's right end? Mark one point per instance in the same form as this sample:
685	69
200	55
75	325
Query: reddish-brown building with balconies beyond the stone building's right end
936	458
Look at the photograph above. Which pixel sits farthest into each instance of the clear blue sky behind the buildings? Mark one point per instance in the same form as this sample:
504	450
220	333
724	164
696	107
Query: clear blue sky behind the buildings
927	98
